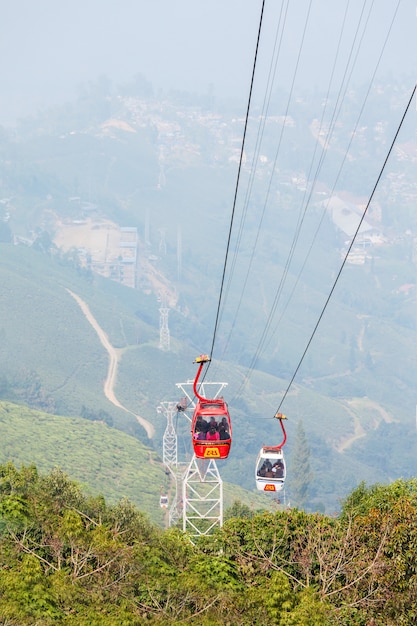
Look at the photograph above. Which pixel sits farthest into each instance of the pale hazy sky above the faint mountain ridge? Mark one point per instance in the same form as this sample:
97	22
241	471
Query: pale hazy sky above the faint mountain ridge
48	48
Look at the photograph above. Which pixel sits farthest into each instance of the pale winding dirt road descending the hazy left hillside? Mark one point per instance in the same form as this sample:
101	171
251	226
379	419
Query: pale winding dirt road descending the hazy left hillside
114	357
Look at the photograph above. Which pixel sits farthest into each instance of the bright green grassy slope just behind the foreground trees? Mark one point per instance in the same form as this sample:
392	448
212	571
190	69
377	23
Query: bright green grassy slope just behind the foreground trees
100	459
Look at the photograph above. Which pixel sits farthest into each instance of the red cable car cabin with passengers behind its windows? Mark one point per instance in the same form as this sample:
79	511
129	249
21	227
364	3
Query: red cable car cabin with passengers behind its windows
211	429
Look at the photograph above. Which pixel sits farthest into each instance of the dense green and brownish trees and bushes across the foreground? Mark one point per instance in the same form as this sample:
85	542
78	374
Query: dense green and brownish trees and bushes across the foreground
72	559
